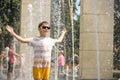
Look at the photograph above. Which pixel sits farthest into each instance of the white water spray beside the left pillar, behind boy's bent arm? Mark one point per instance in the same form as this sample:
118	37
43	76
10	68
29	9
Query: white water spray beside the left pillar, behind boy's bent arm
56	12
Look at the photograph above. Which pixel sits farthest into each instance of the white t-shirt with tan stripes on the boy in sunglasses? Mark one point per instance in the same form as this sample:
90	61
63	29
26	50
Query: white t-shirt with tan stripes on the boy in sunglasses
42	51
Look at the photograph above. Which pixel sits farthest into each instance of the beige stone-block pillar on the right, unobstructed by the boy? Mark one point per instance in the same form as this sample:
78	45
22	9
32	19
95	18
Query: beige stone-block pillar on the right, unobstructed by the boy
96	39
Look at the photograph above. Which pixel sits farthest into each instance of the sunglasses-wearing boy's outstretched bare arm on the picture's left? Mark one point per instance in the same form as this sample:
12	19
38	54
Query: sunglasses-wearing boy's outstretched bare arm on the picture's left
19	38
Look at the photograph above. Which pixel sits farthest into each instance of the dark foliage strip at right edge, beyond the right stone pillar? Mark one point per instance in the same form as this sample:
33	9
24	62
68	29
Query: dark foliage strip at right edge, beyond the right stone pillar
116	55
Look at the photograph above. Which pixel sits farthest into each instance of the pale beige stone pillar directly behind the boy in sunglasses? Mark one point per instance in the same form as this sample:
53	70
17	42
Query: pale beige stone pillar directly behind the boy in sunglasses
32	13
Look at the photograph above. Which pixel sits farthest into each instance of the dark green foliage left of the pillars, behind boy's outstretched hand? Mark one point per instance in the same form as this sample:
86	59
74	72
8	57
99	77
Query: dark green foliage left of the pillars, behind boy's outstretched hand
10	14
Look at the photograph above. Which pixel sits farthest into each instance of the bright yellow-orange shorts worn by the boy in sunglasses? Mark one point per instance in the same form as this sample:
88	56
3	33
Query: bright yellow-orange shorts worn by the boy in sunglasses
41	73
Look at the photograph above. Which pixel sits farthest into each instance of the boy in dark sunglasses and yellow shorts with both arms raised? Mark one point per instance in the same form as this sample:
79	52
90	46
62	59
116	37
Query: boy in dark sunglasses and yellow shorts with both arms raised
42	46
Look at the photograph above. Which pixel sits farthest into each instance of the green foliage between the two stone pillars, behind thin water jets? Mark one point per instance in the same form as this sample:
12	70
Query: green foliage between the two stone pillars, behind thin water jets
76	24
